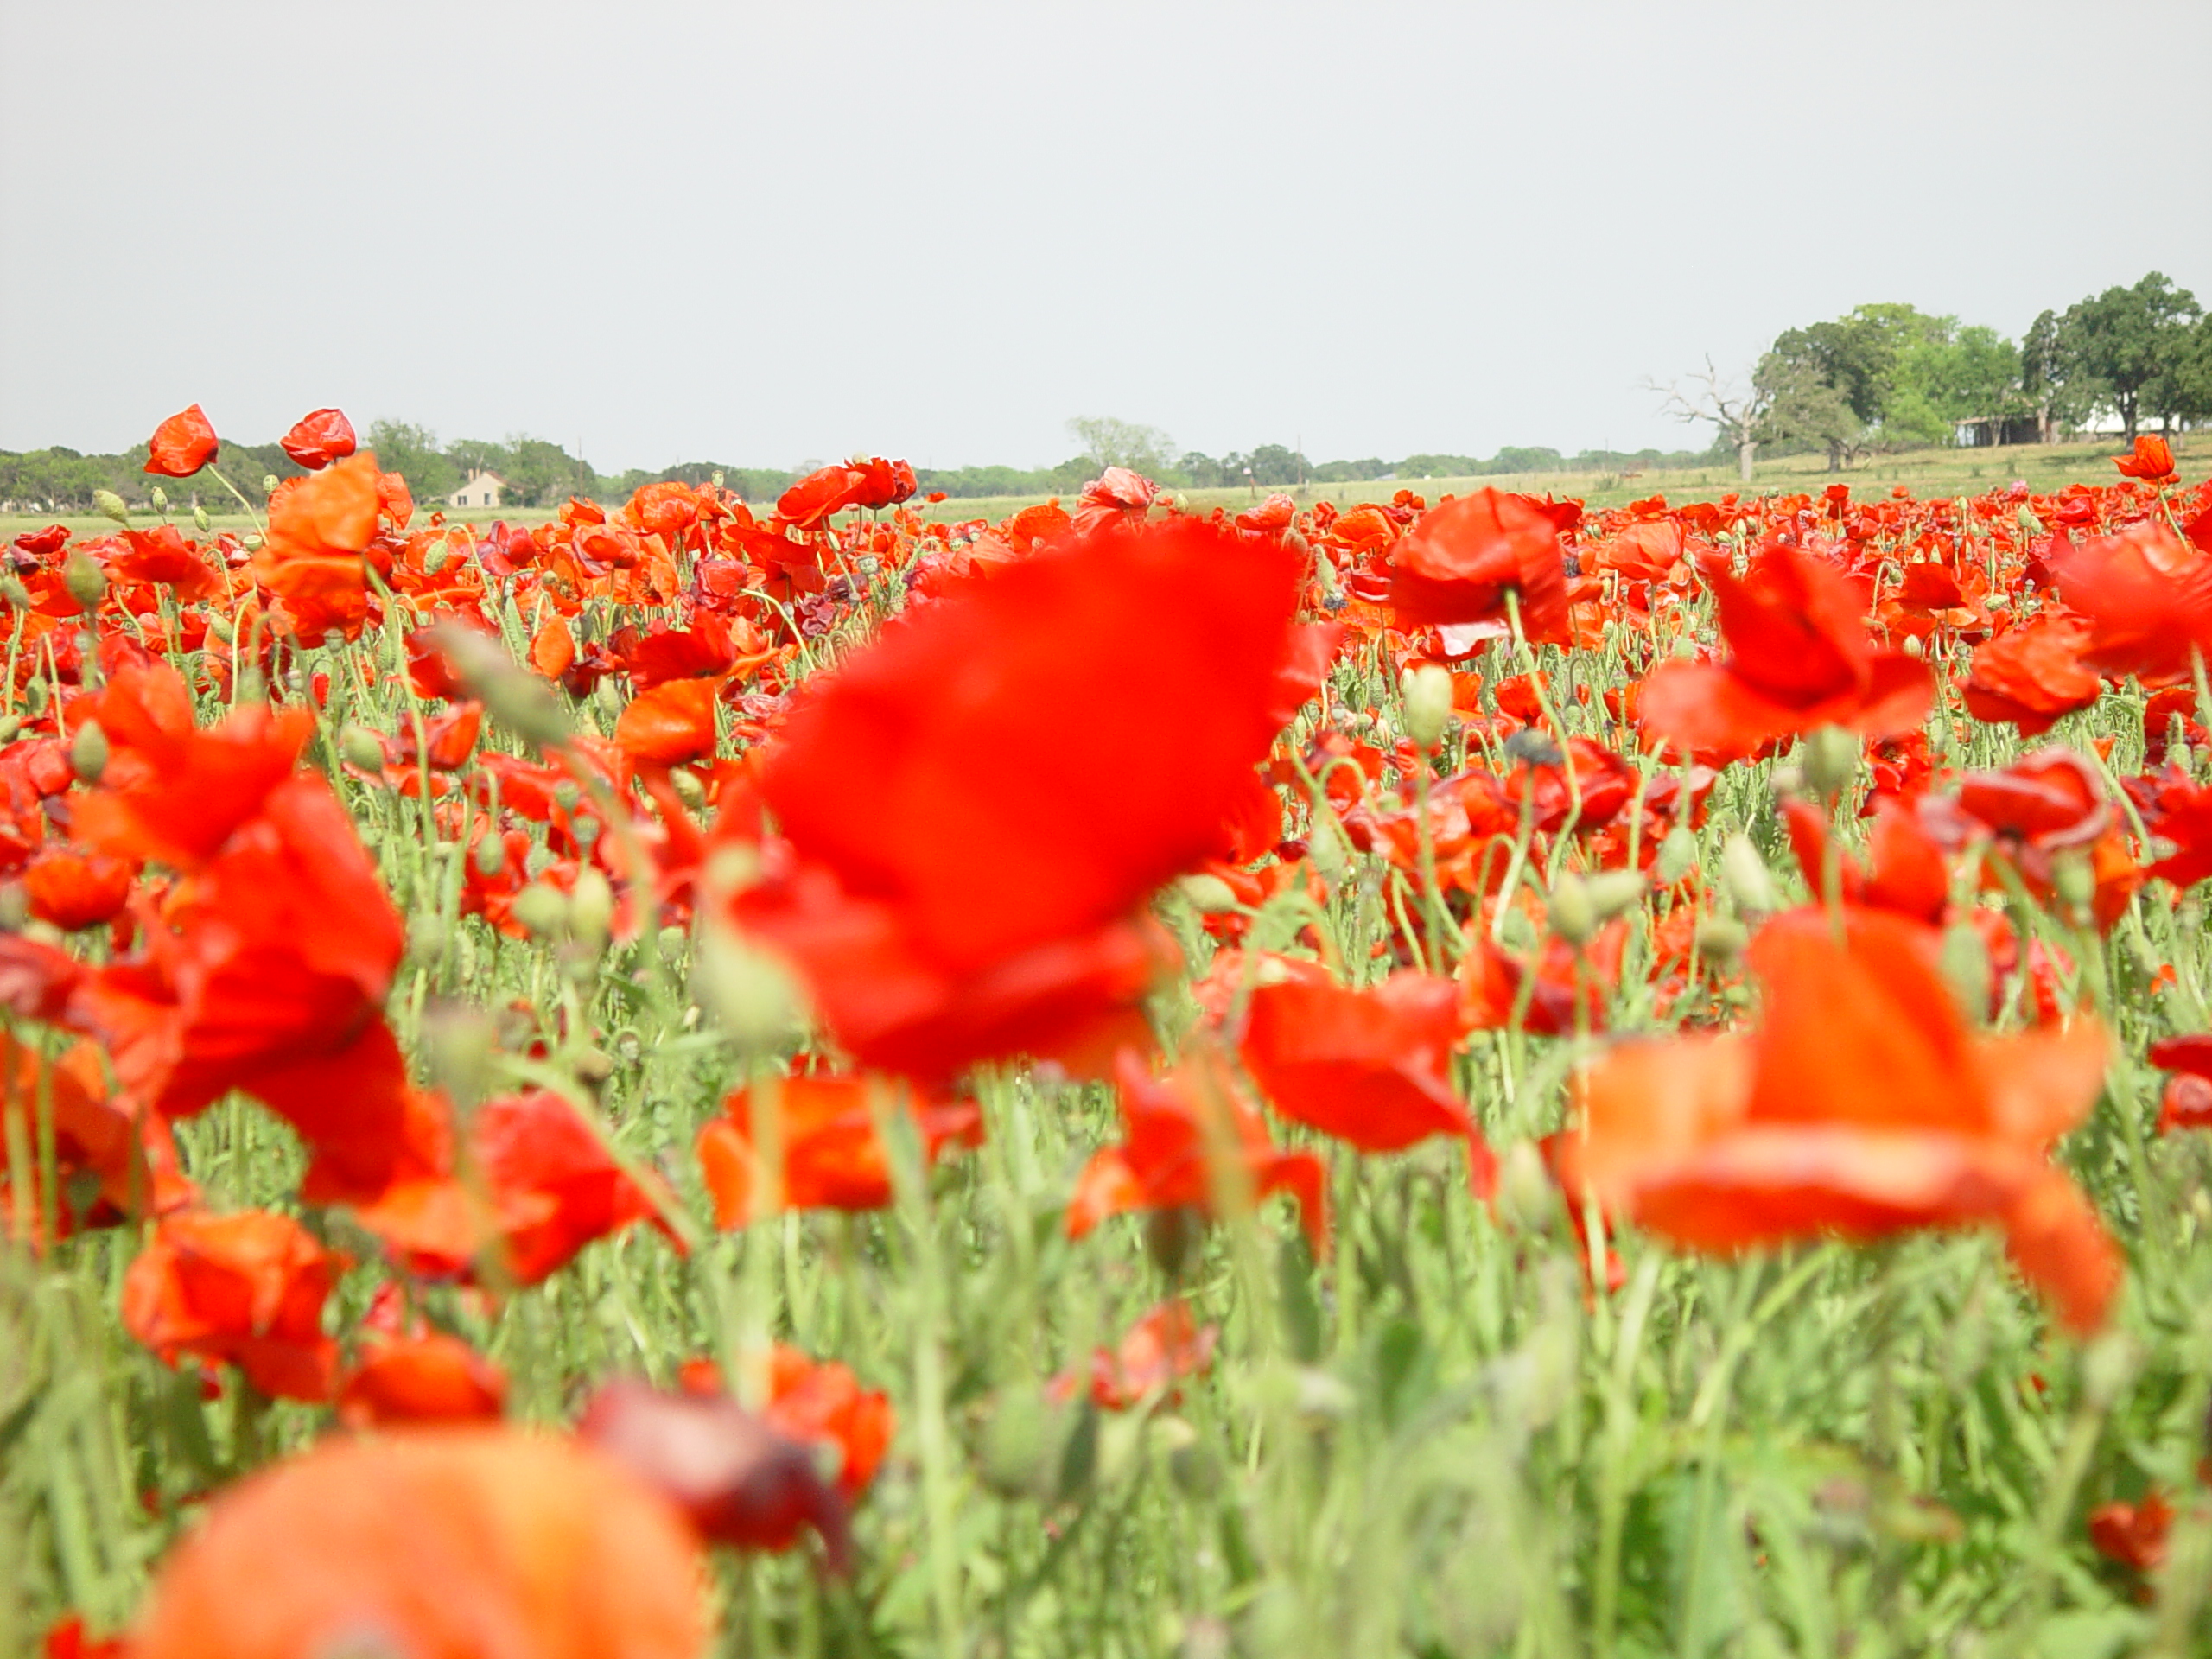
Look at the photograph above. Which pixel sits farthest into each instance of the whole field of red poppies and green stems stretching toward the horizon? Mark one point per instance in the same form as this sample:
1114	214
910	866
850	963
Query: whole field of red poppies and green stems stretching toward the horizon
1428	1078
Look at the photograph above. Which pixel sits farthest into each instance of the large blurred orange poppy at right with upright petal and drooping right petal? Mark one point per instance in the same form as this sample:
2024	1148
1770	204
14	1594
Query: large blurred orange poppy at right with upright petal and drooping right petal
1859	1107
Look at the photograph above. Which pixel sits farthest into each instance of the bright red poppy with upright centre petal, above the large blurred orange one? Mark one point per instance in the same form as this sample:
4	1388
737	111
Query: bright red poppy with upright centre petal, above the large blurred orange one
1799	660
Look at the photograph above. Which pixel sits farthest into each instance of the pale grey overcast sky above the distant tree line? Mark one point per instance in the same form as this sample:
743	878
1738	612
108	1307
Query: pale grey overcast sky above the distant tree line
764	233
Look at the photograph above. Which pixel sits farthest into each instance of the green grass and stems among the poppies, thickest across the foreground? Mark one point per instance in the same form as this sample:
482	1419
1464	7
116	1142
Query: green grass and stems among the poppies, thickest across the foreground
1434	1443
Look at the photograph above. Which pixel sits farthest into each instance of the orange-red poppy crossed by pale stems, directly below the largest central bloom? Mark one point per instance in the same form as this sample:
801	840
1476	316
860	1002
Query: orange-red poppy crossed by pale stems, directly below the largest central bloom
833	1158
